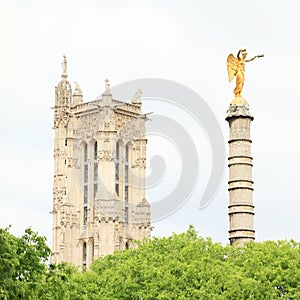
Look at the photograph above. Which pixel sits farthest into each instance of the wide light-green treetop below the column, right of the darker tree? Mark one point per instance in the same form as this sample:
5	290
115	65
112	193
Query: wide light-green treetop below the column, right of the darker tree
186	266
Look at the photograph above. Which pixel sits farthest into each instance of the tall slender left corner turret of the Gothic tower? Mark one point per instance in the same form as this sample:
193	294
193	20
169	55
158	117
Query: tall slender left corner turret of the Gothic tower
62	116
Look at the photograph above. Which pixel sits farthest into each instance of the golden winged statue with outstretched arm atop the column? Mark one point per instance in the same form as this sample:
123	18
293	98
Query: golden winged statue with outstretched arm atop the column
236	67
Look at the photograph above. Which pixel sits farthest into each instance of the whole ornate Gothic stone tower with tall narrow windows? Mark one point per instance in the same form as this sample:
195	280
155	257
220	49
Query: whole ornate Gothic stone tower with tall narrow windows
99	203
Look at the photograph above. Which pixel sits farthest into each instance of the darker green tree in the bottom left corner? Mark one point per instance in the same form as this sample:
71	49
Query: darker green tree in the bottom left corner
22	263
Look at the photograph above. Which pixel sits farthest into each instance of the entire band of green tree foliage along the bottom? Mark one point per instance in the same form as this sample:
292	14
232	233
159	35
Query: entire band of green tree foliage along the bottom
182	266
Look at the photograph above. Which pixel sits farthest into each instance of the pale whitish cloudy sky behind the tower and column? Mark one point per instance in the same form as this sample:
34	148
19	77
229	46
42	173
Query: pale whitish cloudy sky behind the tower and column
184	41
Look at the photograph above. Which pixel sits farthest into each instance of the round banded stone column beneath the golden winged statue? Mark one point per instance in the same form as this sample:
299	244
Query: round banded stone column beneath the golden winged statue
241	209
